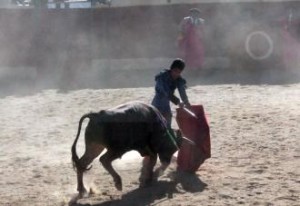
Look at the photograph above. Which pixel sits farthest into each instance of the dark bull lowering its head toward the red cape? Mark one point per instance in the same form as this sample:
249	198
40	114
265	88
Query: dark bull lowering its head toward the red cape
132	126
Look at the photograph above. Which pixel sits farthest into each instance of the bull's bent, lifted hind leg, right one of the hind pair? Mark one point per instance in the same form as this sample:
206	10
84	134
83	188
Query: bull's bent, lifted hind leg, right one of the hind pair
106	161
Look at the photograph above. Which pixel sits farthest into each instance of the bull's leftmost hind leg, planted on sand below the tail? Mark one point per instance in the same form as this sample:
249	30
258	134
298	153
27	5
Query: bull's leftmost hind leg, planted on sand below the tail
92	150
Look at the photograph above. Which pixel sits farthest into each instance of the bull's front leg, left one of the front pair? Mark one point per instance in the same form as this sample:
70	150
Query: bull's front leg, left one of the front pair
147	170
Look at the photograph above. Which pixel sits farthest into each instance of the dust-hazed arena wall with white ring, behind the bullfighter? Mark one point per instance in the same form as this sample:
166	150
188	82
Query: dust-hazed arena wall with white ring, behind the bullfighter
116	47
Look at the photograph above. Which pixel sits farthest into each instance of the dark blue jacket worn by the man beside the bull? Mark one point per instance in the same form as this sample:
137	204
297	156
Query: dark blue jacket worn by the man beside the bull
164	91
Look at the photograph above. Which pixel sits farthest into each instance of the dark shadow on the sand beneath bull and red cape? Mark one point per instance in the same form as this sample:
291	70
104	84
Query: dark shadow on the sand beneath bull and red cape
158	192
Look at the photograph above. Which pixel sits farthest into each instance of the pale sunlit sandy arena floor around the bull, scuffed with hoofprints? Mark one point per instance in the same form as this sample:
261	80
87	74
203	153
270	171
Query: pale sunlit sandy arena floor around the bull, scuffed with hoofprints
255	149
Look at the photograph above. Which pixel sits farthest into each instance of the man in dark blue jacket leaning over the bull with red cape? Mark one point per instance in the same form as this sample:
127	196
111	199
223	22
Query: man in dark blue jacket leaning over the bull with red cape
166	82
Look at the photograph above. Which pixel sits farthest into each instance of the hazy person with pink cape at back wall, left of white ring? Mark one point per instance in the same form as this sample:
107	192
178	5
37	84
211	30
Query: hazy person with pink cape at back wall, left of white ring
190	40
